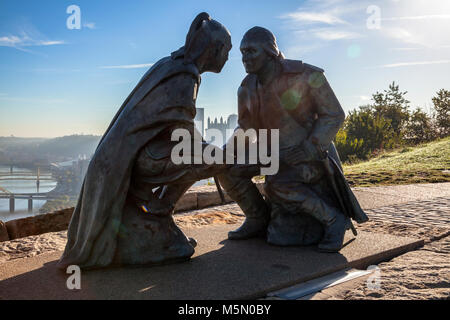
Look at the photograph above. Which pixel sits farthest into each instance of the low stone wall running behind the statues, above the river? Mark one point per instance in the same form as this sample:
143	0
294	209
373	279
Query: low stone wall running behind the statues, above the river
194	198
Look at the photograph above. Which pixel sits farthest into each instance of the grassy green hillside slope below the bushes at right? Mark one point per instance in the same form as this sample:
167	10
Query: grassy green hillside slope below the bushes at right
427	163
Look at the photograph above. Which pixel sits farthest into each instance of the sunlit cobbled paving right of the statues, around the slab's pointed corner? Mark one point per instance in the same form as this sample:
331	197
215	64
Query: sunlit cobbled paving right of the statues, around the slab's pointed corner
423	273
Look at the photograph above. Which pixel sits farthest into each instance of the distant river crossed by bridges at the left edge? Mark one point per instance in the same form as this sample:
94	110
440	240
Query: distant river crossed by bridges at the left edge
22	186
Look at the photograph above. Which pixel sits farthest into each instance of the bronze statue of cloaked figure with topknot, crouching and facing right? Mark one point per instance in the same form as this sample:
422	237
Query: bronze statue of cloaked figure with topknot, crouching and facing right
124	211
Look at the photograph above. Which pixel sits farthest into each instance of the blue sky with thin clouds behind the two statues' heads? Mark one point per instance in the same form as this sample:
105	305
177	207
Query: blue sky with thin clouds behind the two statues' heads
55	81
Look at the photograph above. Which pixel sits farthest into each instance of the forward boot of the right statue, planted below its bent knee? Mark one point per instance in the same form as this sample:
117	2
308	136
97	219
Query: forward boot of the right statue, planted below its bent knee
256	213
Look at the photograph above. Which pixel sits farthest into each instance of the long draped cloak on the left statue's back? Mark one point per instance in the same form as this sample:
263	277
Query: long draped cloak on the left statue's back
96	220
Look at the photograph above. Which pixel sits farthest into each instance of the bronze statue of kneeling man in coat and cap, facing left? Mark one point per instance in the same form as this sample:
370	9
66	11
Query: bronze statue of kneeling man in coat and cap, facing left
308	201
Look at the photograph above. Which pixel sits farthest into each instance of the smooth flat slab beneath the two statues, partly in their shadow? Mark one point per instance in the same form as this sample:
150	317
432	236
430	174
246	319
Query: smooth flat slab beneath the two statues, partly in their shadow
220	269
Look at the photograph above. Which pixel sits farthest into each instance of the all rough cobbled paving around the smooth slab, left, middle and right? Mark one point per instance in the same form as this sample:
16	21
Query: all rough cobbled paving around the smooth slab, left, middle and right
415	211
